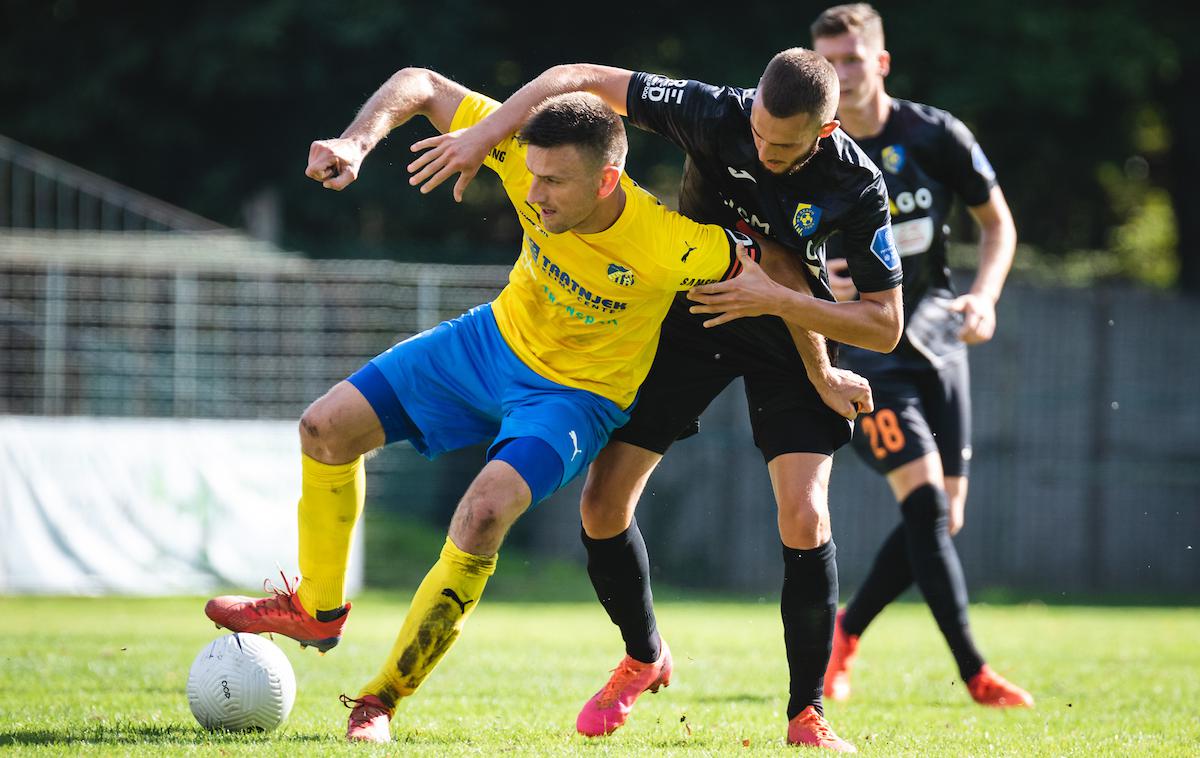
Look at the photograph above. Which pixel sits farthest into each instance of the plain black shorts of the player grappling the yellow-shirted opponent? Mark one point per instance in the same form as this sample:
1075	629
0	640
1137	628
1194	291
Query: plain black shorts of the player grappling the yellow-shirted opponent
695	364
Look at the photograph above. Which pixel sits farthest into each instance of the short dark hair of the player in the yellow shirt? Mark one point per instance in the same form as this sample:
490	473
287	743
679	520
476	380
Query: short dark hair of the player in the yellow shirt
579	119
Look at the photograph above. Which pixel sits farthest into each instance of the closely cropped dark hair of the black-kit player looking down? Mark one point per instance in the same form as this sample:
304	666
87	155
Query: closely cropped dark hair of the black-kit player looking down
799	81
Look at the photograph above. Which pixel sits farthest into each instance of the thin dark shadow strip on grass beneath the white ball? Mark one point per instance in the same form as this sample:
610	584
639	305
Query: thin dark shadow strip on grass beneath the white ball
147	735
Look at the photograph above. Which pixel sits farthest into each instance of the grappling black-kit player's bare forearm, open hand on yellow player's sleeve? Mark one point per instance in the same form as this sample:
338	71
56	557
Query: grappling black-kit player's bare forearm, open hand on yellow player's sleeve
874	322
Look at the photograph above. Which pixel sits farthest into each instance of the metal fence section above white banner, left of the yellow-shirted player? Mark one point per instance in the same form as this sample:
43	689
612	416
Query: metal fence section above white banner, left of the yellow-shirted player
202	326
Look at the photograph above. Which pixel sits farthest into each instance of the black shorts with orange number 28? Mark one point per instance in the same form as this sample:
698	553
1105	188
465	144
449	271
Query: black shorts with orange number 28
919	411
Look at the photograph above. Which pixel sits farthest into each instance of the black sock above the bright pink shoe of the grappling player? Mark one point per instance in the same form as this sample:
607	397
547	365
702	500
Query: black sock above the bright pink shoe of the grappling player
621	574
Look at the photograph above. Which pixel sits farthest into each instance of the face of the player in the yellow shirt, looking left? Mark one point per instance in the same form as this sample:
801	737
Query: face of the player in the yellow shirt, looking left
566	187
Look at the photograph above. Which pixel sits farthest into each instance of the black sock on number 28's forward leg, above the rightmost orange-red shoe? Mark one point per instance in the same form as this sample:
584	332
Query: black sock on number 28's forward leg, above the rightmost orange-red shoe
939	574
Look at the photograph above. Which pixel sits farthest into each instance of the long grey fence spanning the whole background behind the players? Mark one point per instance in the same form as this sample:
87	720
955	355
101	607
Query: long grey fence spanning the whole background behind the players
1087	471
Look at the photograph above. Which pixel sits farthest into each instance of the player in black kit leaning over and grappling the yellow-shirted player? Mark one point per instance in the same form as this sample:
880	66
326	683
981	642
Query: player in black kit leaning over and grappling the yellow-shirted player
773	163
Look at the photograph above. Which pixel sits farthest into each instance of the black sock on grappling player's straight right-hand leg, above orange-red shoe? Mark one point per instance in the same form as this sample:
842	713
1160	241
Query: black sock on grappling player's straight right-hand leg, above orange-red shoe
808	604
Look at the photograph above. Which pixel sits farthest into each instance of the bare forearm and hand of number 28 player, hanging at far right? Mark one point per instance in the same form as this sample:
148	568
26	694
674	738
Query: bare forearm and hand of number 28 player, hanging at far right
998	245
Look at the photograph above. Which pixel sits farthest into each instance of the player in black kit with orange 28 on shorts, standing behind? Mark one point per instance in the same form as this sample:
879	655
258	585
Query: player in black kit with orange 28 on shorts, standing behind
920	435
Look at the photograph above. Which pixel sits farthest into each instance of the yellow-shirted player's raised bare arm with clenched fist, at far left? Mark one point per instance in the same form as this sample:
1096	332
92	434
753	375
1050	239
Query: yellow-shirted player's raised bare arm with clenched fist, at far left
407	94
